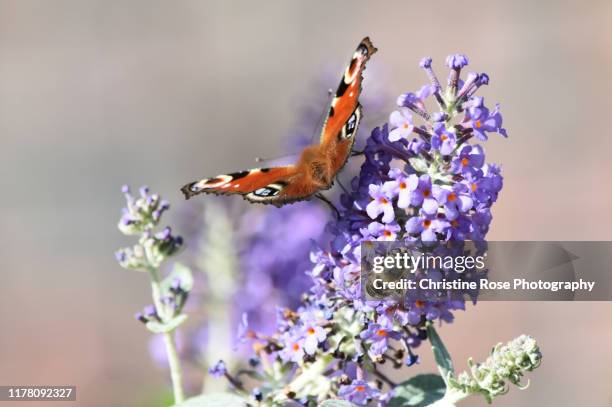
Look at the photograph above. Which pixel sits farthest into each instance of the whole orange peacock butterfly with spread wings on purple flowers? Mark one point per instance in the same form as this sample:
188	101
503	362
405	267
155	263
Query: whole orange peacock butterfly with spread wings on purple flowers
318	164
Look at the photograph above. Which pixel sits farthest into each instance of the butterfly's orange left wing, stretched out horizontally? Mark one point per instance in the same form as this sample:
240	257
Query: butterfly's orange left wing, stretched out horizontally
276	185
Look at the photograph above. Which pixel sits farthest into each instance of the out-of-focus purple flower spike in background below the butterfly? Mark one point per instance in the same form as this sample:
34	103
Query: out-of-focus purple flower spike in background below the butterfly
274	245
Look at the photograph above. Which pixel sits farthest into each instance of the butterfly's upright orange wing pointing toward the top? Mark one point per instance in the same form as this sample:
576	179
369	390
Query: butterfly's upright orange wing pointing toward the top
344	105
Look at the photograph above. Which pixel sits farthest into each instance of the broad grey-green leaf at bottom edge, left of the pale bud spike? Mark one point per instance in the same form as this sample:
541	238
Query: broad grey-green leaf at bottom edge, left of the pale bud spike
419	391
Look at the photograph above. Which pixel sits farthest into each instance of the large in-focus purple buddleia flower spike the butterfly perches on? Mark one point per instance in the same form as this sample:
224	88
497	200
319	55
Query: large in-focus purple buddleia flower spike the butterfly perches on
421	182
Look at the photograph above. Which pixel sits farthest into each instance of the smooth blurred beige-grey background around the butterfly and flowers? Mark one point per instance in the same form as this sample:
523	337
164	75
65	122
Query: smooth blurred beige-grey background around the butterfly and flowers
94	94
